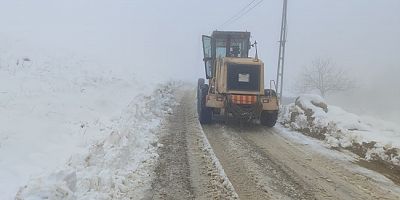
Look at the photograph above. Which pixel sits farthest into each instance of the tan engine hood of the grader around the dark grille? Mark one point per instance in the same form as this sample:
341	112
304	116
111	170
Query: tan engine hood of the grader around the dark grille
240	76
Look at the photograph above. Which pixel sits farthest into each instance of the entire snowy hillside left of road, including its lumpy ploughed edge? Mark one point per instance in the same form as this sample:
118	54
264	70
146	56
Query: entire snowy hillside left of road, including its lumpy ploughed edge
55	107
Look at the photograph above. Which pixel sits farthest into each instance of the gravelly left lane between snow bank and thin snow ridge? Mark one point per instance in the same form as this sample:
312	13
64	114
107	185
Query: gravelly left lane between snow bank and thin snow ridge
187	167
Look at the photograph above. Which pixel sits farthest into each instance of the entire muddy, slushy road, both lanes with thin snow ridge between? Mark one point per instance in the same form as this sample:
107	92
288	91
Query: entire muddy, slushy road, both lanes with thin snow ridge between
260	163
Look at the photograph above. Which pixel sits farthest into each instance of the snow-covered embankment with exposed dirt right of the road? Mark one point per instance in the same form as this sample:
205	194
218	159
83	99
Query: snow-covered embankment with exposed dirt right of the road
371	139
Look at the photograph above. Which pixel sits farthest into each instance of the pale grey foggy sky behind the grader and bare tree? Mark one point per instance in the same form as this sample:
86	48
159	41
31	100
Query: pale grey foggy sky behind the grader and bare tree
161	39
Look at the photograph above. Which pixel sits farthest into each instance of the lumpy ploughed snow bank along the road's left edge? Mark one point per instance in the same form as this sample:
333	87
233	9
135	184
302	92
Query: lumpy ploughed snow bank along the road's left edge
116	167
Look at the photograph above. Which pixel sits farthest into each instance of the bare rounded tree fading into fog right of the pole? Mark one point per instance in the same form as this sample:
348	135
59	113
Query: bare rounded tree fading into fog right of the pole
322	75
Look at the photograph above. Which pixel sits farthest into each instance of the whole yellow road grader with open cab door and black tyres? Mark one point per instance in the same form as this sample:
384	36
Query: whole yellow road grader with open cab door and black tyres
235	87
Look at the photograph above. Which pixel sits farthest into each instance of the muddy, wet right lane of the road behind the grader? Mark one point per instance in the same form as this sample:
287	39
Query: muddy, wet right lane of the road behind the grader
261	164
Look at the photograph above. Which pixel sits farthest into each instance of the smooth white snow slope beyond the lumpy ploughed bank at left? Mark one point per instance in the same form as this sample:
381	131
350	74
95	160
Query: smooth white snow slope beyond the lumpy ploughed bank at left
50	108
